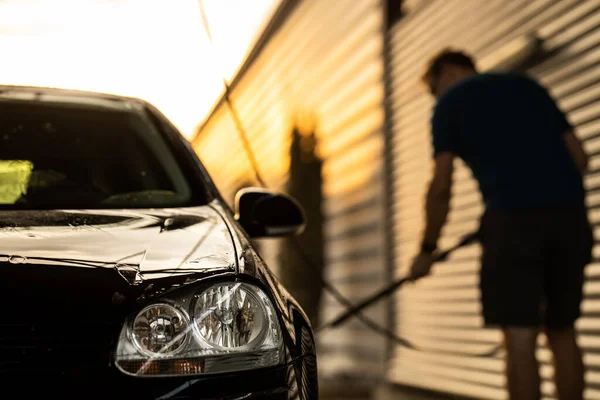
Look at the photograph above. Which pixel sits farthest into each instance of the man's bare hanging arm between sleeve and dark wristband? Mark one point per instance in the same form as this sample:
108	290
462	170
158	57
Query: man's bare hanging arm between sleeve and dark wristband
438	198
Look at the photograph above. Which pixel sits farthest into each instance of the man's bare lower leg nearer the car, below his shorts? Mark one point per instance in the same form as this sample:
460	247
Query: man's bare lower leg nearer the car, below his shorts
522	371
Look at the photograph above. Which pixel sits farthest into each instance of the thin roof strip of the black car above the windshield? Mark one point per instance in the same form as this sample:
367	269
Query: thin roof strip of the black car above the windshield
66	96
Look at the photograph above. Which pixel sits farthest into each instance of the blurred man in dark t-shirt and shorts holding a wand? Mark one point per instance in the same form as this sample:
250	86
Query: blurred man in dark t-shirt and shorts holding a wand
535	233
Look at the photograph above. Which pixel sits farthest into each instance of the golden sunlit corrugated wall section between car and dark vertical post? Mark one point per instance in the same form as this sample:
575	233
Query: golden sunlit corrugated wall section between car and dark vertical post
325	61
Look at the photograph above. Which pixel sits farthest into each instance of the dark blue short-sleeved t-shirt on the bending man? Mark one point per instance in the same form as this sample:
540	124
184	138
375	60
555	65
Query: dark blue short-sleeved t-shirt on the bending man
509	131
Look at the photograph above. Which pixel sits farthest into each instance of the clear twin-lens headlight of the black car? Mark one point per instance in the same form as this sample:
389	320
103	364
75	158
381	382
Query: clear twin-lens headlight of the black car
226	327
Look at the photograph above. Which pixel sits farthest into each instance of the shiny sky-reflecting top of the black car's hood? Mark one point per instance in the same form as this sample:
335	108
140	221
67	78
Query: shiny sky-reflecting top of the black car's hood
140	244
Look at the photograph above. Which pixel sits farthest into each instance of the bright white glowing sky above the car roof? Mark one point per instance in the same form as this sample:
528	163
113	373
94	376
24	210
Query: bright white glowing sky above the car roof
153	49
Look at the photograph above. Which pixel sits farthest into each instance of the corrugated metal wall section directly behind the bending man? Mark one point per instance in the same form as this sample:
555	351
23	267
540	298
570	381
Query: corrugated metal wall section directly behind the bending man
442	312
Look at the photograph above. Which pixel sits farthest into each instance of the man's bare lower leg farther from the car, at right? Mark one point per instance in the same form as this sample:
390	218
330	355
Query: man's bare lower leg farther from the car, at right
568	363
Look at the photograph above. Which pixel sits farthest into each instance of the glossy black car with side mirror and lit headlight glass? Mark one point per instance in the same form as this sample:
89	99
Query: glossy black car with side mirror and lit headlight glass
124	274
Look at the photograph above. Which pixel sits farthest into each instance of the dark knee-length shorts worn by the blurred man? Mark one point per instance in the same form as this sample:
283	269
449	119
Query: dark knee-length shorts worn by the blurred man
533	266
